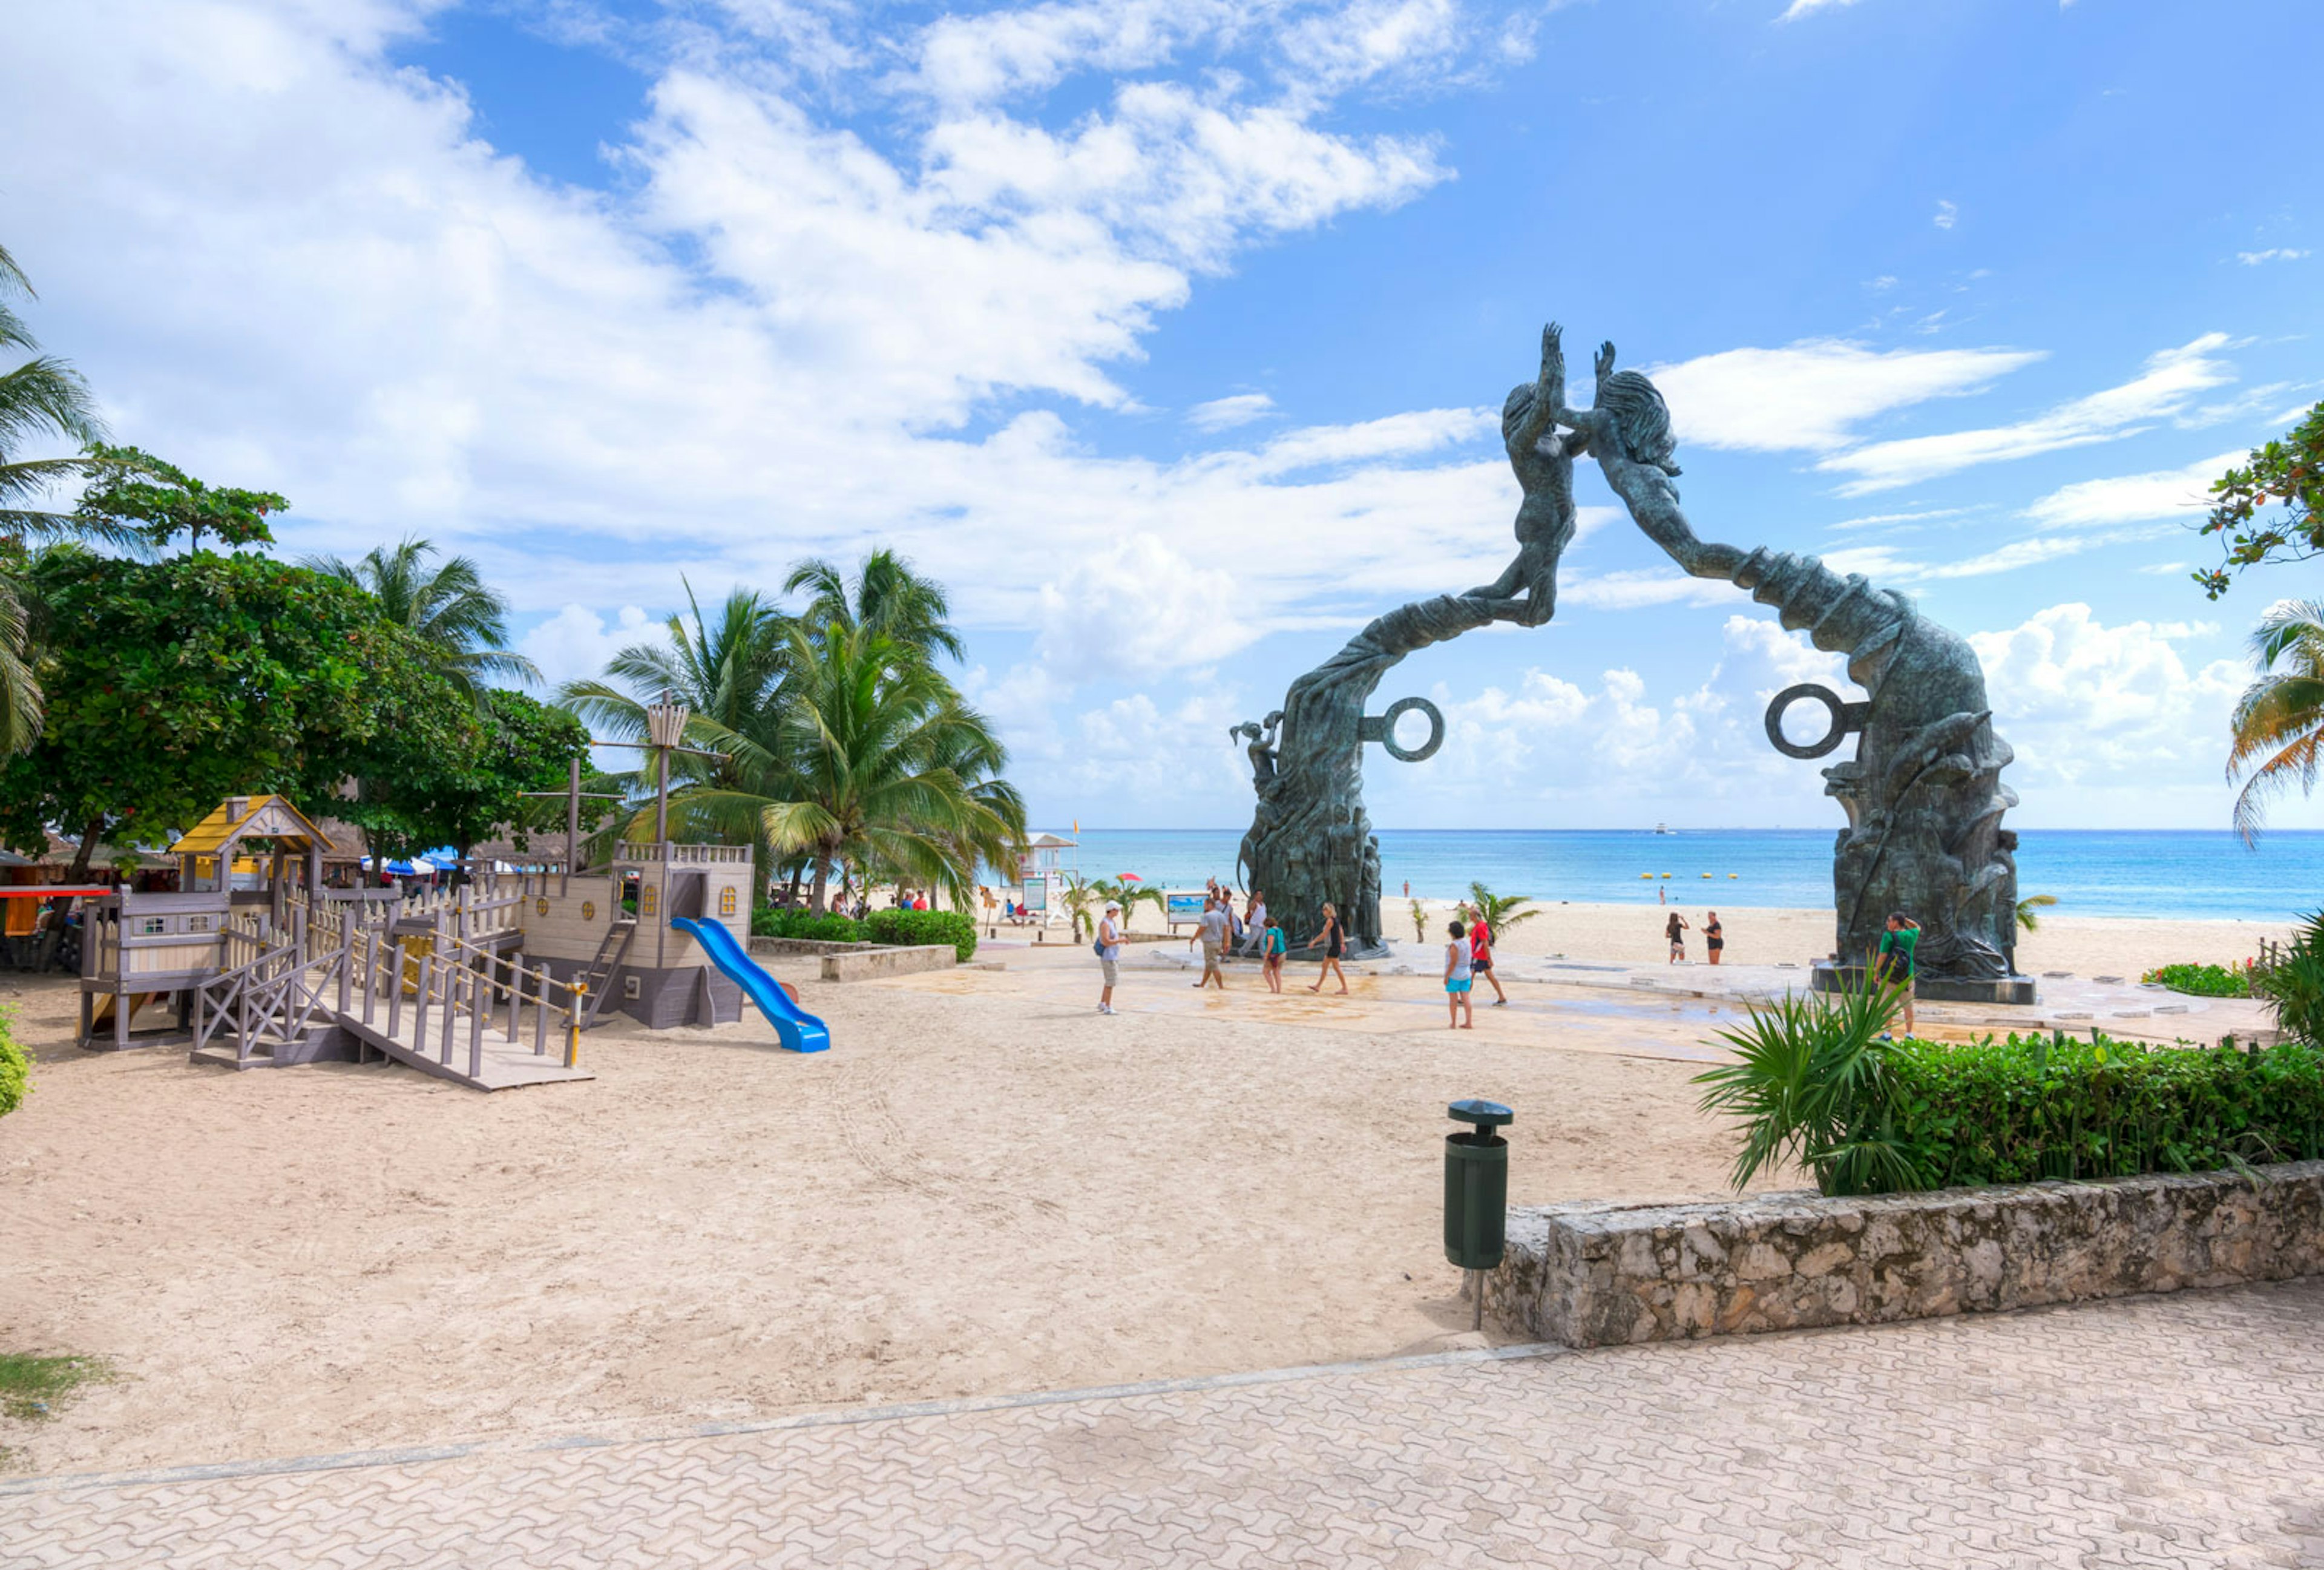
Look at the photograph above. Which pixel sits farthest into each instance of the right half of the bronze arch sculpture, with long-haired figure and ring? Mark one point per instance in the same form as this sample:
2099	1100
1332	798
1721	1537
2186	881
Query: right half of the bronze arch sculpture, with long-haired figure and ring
1923	793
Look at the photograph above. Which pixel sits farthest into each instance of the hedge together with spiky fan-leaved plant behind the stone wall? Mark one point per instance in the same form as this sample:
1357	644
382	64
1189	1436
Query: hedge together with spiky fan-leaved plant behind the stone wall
1865	1116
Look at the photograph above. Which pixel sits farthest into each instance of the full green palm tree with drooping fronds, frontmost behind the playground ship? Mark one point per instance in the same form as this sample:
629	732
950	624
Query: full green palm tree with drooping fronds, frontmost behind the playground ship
856	765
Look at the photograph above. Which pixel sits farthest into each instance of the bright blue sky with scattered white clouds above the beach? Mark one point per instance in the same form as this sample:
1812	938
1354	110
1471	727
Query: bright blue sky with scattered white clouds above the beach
1172	338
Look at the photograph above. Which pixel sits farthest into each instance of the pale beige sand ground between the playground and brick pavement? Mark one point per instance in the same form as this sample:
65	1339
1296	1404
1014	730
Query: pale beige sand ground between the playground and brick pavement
982	1188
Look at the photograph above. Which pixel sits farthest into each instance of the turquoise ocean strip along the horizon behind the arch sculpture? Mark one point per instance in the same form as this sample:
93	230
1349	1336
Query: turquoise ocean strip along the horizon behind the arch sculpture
2090	872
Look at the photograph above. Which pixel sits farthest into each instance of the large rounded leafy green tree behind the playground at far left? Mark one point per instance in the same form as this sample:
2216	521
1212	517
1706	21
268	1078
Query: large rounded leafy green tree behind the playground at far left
201	677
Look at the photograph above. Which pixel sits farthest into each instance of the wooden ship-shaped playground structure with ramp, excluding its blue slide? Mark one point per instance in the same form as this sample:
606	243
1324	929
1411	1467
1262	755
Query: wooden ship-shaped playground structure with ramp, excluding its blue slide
489	984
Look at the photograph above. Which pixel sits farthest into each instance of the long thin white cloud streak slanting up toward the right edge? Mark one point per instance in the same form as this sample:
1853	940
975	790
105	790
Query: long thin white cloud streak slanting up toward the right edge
2162	389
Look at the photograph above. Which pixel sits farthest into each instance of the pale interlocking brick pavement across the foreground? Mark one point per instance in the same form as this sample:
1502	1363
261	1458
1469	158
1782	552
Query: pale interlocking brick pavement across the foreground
2160	1434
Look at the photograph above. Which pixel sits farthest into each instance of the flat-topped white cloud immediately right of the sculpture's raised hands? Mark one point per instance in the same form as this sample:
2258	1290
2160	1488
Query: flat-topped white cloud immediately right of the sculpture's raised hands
1812	396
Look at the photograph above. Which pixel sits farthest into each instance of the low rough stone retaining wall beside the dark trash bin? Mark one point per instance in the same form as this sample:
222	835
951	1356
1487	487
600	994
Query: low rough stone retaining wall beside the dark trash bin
1598	1274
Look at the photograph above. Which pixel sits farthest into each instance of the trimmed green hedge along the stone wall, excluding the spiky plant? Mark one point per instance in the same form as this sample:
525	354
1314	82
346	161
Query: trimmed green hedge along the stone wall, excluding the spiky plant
2056	1107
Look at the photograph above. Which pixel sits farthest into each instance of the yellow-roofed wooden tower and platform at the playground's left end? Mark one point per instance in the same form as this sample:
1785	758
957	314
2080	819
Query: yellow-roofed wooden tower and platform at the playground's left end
145	951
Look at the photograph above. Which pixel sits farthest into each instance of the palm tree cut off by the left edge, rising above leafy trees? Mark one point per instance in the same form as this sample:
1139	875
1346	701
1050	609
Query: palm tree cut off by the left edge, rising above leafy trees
38	401
